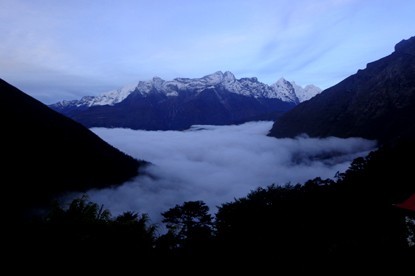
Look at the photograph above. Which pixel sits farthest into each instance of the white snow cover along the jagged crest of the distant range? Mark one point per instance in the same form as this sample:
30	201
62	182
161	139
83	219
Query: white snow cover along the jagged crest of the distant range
282	89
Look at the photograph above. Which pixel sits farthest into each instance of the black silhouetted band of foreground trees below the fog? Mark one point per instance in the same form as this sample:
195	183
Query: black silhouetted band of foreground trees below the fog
321	221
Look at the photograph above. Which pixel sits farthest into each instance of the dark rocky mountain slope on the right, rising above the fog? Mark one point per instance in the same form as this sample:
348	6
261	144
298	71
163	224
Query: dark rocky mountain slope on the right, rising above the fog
375	103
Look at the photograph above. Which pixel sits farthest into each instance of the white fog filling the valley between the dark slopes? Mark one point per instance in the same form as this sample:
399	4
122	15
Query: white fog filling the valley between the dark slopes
217	164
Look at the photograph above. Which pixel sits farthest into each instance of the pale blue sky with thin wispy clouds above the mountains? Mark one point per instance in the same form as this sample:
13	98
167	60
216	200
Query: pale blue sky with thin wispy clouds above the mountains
56	50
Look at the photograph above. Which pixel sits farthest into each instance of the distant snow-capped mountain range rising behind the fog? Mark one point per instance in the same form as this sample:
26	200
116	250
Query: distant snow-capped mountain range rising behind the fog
218	98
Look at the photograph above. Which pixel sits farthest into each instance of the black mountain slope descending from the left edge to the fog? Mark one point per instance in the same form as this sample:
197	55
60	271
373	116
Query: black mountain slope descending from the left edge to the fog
45	153
